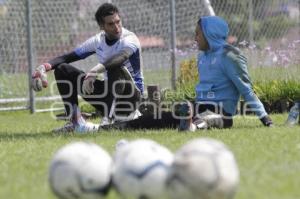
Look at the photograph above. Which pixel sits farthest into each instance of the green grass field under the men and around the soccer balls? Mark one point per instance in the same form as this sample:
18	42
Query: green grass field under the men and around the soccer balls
268	158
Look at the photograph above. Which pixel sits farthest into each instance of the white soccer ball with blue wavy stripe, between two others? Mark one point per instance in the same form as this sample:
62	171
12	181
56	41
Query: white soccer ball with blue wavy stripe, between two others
141	168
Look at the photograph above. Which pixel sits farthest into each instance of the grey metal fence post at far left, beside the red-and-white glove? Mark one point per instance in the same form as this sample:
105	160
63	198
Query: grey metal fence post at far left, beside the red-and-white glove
29	55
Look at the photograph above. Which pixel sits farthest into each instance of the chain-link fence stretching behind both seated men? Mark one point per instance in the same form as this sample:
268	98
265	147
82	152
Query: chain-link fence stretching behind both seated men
266	30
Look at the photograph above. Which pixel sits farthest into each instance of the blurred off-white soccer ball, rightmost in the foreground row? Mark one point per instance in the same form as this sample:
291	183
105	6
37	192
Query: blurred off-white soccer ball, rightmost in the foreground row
203	169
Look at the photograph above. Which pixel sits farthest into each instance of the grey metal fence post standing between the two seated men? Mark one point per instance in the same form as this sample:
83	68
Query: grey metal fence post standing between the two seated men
173	42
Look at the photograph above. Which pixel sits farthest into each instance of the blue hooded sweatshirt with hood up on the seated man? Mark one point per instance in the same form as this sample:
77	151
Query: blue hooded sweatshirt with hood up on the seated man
223	70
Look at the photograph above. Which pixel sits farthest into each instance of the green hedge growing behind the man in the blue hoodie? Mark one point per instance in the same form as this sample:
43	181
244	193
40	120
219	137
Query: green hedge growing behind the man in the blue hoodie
270	91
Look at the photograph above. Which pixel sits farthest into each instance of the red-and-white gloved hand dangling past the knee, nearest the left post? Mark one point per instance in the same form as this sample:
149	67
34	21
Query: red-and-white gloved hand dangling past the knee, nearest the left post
39	77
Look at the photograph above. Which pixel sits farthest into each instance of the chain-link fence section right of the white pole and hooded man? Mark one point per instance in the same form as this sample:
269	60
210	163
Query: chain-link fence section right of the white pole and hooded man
267	31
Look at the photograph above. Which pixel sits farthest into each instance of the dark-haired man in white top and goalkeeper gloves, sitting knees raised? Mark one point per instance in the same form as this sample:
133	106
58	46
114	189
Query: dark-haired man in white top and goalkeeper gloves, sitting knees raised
119	55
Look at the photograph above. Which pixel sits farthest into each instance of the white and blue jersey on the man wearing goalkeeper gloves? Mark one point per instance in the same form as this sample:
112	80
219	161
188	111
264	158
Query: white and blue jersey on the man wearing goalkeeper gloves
128	40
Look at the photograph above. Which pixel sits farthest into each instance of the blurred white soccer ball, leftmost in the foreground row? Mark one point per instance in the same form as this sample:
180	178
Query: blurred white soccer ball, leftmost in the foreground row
80	170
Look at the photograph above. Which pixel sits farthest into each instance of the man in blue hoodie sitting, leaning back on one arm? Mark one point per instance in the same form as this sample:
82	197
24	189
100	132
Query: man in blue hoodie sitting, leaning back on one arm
223	77
